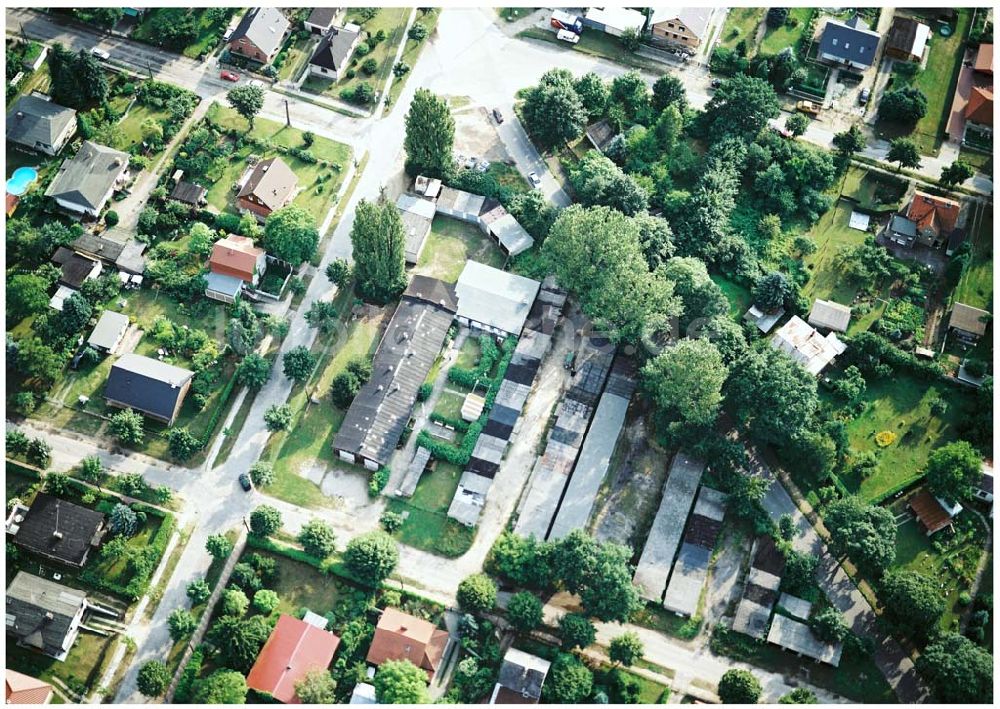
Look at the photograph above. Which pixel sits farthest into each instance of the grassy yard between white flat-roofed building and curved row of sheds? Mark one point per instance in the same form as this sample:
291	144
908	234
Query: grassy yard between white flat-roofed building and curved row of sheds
450	244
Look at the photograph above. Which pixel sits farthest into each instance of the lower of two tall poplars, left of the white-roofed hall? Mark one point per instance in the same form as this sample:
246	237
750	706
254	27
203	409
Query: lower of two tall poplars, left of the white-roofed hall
378	239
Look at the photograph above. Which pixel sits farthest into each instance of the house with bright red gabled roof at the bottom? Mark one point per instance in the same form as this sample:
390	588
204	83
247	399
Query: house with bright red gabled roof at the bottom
294	649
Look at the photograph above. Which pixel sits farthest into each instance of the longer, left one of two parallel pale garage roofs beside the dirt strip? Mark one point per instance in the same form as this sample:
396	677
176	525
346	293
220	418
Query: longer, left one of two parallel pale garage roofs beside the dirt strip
665	534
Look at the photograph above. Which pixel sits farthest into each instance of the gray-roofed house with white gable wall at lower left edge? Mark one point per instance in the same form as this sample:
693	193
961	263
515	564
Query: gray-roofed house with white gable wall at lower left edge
44	615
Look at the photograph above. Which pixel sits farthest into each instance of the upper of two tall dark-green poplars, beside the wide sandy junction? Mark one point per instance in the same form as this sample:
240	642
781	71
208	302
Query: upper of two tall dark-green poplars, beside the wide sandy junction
430	135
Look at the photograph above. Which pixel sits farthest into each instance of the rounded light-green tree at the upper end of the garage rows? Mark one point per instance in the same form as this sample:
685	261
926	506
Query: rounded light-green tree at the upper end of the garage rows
685	381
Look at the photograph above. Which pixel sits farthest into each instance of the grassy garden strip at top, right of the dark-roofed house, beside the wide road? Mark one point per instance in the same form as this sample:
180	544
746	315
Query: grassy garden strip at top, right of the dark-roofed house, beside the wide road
388	25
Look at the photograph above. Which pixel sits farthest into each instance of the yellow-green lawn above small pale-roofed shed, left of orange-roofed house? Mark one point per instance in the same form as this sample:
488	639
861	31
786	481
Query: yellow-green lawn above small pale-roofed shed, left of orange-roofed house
831	233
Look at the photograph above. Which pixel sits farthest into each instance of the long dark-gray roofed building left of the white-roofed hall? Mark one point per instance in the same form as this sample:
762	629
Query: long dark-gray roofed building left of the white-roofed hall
379	413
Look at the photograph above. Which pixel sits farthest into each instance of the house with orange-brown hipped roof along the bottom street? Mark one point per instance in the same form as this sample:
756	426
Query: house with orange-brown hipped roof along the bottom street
400	636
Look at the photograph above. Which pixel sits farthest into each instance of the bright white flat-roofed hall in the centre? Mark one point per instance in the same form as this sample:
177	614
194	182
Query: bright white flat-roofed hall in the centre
493	297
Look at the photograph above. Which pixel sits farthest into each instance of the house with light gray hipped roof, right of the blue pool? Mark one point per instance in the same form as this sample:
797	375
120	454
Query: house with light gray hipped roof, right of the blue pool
85	182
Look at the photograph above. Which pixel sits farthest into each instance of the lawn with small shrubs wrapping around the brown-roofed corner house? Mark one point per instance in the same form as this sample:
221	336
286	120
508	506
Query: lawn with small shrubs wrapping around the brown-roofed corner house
318	182
